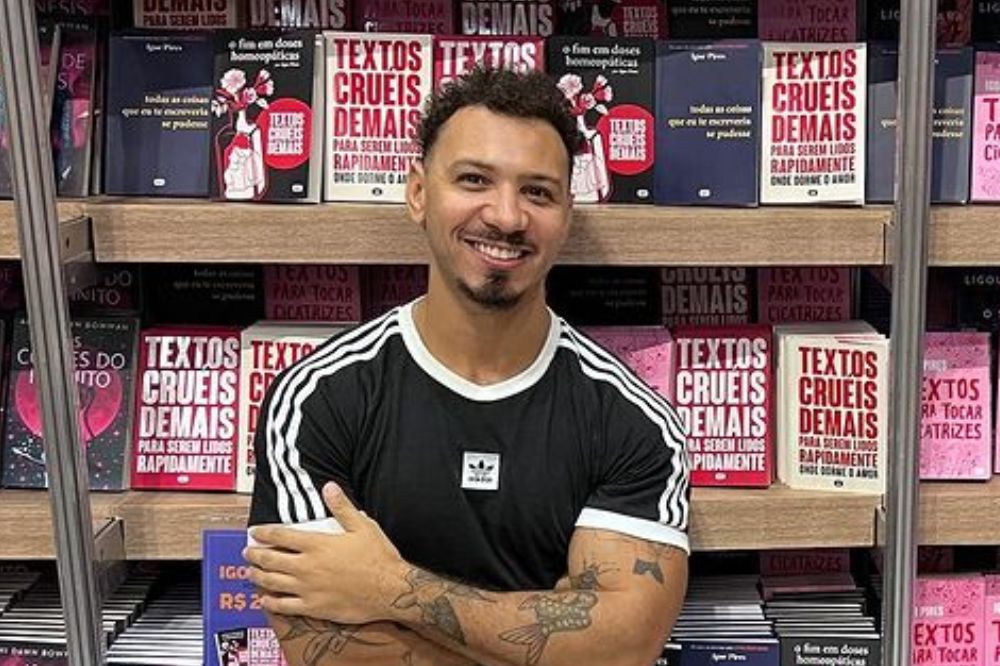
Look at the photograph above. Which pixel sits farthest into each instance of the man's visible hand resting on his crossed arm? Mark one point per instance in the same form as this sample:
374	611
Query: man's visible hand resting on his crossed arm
351	578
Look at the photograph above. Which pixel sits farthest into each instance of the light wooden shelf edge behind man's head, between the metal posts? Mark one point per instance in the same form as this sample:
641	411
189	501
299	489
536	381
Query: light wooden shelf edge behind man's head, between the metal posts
130	230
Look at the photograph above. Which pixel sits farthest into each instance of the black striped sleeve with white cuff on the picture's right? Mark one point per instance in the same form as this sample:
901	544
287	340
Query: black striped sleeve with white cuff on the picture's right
644	487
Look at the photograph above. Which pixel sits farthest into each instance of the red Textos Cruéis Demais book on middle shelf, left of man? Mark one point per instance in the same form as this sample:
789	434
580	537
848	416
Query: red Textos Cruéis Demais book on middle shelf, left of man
186	409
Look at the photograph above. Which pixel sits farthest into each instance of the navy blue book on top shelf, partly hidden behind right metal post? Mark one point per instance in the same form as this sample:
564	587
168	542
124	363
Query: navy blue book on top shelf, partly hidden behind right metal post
952	139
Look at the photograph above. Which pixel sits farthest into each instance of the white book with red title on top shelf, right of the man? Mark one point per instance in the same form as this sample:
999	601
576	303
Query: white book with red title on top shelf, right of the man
813	140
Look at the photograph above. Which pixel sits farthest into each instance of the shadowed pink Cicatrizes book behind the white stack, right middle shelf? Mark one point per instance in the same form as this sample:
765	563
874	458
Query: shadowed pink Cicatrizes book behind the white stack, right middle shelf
808	293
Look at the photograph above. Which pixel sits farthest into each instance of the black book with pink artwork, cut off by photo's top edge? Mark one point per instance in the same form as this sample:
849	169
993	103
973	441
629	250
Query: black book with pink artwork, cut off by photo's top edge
619	18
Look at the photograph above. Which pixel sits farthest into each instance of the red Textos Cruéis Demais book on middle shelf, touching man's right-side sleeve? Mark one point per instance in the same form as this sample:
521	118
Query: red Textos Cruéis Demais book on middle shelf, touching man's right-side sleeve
722	393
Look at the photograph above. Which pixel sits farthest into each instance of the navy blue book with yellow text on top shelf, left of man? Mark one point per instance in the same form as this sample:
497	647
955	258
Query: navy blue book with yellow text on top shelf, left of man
157	114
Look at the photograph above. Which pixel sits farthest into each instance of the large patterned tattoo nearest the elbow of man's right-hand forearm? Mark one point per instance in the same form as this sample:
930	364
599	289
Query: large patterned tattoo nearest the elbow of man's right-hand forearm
559	612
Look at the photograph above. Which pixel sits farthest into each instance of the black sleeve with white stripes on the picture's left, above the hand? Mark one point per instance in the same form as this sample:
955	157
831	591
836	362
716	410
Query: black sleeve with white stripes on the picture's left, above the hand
300	443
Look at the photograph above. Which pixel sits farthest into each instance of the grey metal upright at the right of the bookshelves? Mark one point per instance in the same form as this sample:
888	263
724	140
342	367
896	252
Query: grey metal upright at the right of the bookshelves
916	72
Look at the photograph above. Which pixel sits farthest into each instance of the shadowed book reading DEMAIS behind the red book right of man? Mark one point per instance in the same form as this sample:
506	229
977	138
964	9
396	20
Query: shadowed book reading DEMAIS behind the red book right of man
713	296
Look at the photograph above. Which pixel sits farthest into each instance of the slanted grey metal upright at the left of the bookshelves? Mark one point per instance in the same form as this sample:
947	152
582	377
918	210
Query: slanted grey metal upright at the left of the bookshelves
38	235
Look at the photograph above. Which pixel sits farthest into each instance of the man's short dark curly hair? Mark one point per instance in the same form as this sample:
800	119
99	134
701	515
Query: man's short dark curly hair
530	95
